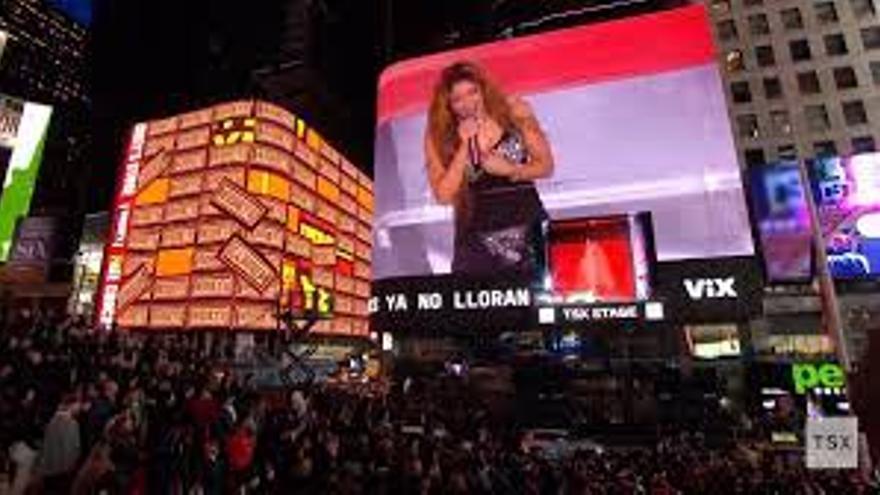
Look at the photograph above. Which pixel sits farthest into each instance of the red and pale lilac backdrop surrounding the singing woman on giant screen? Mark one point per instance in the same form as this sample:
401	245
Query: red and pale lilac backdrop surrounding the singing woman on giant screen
634	111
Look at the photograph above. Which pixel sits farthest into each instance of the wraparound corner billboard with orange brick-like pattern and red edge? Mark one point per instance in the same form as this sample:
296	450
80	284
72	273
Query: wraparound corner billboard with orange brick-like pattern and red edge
228	217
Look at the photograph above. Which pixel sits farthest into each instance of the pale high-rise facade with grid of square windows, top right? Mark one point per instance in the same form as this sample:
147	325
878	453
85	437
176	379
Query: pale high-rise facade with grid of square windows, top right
802	77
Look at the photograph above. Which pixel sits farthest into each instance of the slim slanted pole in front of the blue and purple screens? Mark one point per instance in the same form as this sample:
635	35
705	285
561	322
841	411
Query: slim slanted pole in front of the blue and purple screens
827	291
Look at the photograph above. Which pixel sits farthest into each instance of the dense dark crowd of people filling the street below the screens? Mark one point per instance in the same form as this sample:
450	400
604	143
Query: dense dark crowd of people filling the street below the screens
83	411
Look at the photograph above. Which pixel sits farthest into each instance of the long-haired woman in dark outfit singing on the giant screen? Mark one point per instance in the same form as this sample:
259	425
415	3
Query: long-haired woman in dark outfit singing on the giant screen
484	150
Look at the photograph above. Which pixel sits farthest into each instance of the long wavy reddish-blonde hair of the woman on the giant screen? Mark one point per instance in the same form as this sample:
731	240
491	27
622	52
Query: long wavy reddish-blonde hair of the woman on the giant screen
443	124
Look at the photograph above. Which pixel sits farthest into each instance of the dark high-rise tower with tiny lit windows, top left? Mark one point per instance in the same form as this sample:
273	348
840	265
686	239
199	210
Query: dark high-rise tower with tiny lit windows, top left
45	61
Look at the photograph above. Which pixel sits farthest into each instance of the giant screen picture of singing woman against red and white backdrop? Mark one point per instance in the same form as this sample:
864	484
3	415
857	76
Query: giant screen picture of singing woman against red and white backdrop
606	119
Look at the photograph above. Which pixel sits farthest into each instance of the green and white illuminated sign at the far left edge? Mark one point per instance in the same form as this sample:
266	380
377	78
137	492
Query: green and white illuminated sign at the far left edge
21	175
